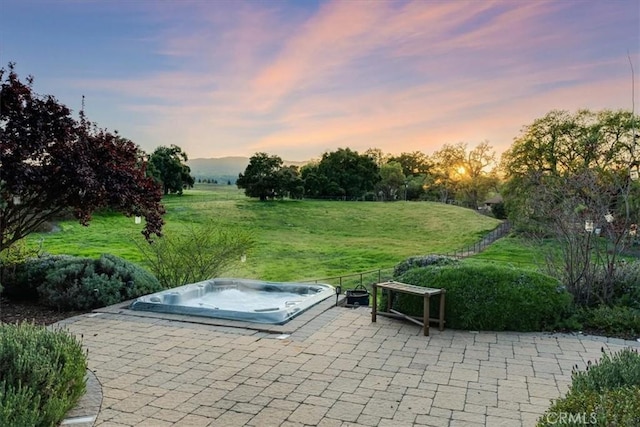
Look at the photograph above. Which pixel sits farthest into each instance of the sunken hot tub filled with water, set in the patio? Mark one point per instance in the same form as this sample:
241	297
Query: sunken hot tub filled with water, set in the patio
237	299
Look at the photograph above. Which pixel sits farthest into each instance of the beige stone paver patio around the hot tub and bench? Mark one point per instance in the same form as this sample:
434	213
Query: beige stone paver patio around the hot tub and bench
338	369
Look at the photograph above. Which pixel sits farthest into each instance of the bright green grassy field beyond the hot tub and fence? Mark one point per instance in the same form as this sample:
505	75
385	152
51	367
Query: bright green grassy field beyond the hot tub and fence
295	240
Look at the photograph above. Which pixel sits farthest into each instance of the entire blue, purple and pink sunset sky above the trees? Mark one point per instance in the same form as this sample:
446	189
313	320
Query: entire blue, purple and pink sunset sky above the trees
299	78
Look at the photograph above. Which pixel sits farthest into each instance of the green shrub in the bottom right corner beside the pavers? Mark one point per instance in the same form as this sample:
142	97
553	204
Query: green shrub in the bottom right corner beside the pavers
607	393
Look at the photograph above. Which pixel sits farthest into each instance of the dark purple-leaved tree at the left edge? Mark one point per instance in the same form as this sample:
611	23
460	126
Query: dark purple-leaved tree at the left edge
52	164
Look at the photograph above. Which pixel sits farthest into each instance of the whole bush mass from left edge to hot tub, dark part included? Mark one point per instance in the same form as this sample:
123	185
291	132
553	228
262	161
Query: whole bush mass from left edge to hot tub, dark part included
73	283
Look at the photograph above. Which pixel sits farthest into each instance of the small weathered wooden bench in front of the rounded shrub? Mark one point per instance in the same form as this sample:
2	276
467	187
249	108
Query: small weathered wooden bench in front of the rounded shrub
426	293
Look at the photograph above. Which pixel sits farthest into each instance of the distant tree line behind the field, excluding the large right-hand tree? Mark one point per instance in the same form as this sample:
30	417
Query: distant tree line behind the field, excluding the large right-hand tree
454	174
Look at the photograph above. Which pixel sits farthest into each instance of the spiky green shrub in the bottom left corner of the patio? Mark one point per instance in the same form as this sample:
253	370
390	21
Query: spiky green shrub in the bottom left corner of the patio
42	375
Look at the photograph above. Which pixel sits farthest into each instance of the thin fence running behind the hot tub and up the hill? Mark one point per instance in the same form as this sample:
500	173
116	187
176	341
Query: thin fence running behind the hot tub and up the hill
368	278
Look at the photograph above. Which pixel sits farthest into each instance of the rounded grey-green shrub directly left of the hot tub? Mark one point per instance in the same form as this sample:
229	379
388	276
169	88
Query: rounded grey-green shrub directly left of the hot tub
85	283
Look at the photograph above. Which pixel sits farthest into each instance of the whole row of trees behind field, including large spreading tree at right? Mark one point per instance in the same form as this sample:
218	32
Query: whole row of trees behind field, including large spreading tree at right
587	150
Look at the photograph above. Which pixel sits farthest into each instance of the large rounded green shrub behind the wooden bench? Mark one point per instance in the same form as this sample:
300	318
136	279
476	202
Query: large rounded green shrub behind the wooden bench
489	297
